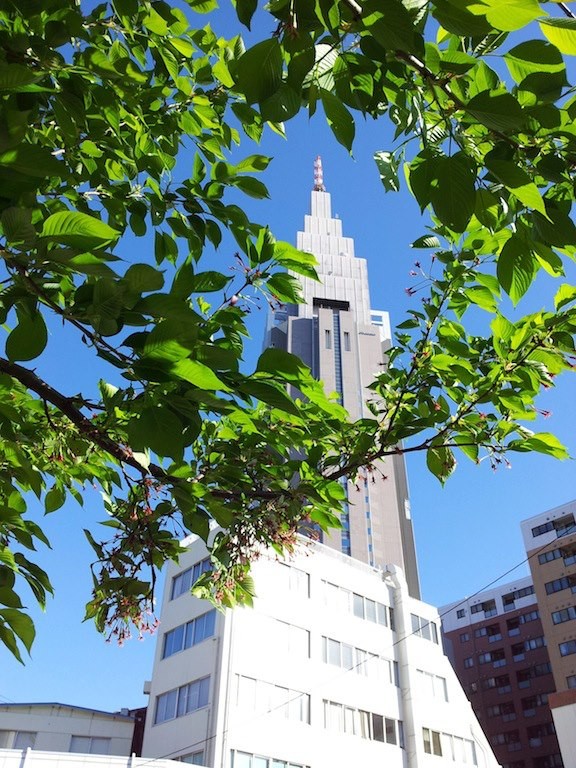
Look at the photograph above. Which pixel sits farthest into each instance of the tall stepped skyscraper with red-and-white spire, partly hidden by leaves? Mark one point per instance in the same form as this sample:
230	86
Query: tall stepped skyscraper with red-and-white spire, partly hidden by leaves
344	342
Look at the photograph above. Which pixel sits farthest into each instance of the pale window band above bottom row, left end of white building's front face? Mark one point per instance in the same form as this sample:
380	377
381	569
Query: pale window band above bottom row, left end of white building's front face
267	698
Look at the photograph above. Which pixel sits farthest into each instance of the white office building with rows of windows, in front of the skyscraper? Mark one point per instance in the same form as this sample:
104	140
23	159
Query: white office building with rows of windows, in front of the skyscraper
336	665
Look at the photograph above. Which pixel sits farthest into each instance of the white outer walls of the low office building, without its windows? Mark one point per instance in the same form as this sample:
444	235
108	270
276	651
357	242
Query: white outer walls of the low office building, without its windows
247	644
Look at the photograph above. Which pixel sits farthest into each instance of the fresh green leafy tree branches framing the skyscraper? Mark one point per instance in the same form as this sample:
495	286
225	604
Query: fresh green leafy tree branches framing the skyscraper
96	107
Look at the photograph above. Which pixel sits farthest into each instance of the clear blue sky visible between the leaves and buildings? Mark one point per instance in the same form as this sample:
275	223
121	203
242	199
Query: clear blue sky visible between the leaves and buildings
467	534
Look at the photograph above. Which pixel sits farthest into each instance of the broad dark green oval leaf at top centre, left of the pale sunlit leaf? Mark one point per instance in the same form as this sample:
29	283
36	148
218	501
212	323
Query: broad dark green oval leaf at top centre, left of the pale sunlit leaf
259	71
